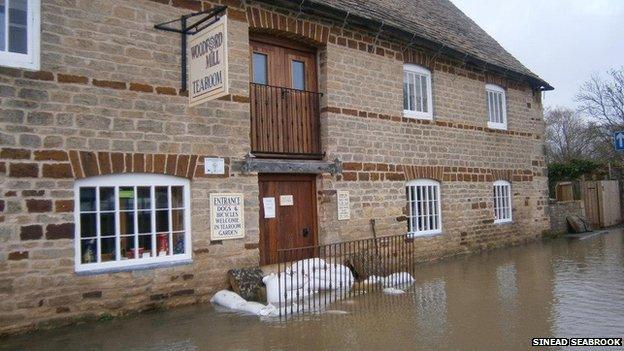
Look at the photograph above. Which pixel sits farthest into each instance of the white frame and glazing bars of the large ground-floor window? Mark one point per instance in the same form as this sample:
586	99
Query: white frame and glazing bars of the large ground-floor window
123	180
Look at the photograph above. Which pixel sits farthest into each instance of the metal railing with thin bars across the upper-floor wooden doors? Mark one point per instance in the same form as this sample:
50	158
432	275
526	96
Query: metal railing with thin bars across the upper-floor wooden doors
284	120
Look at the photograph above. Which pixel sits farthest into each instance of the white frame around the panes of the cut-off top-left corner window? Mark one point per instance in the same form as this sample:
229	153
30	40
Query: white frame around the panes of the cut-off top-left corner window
31	60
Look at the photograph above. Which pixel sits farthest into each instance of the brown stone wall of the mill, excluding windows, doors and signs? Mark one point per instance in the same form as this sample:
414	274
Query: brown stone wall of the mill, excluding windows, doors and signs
107	100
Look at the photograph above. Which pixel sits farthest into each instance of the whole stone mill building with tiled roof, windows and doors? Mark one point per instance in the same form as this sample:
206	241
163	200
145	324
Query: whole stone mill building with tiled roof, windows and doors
409	109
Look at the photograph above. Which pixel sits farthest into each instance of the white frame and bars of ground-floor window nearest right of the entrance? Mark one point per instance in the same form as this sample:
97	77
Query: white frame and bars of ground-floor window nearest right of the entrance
419	185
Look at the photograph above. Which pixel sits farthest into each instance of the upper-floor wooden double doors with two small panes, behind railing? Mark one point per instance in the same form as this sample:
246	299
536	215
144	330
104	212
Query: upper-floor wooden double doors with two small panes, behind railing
284	100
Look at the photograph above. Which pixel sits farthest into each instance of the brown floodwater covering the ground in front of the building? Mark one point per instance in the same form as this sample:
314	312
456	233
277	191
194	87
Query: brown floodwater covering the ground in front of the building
496	300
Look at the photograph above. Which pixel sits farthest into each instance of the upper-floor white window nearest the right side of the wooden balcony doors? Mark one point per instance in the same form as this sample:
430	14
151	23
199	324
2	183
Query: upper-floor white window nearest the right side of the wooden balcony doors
417	101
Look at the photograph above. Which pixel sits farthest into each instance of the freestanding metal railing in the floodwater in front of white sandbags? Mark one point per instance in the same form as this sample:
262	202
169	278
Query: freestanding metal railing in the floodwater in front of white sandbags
311	278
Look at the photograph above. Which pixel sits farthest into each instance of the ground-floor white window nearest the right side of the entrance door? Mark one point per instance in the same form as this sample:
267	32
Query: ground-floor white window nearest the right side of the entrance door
424	211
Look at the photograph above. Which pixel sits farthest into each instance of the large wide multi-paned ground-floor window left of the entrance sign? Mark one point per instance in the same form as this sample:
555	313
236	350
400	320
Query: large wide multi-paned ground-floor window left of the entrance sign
129	220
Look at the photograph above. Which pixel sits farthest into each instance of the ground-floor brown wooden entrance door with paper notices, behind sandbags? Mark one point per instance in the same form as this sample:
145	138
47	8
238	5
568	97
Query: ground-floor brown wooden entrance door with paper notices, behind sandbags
295	221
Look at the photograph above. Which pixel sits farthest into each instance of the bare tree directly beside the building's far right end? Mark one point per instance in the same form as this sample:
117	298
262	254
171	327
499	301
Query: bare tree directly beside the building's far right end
568	136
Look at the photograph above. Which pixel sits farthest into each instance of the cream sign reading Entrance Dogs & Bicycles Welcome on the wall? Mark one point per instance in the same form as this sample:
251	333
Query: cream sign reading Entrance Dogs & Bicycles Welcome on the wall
227	216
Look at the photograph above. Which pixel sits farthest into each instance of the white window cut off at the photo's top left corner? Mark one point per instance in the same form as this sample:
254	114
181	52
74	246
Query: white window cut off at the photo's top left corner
19	33
